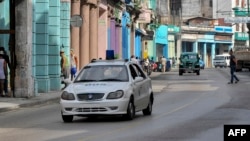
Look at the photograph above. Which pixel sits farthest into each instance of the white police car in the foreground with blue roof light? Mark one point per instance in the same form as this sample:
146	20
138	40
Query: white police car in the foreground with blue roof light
108	87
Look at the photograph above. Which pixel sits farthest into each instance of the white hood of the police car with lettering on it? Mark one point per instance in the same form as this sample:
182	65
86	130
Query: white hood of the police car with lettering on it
96	87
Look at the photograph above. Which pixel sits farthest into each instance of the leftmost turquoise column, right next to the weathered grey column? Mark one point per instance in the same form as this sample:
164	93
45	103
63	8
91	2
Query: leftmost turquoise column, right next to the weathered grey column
41	48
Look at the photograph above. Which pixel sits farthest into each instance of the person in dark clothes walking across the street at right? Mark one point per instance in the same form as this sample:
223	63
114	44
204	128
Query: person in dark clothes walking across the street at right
233	64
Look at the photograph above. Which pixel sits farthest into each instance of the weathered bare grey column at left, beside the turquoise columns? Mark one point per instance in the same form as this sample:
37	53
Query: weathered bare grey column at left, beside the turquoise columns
24	82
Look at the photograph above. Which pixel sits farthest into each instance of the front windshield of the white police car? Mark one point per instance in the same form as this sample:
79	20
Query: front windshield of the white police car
103	73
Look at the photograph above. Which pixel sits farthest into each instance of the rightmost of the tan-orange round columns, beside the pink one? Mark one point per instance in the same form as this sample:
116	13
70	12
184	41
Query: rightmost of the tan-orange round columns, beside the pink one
93	27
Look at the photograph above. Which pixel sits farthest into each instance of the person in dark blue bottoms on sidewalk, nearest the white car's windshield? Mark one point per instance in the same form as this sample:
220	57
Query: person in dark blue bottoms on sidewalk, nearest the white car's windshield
73	64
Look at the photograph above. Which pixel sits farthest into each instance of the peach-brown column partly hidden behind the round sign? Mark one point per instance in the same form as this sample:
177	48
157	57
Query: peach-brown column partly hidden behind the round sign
75	31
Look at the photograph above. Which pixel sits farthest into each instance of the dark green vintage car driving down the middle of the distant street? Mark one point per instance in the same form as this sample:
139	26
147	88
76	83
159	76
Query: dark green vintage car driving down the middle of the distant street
189	63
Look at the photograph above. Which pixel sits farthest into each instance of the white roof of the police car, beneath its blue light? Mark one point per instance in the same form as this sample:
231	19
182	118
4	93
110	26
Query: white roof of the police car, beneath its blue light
109	62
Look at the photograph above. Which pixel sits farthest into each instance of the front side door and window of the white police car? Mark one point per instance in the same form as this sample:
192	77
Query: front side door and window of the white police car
137	87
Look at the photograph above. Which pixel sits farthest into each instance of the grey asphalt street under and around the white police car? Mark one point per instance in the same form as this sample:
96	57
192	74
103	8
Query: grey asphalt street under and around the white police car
186	108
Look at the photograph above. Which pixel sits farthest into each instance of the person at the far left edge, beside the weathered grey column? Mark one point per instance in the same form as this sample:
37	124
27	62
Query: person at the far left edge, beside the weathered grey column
3	72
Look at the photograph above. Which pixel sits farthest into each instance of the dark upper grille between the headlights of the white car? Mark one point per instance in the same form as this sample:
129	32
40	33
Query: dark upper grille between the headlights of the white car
90	96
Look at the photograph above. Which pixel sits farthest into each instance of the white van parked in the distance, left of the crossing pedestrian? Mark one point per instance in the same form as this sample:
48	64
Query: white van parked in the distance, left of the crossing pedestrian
221	60
